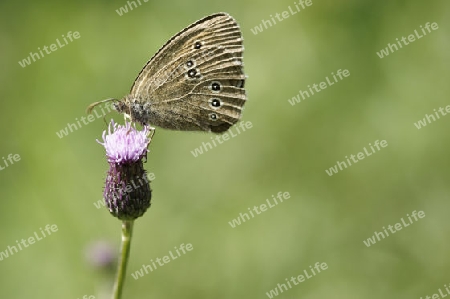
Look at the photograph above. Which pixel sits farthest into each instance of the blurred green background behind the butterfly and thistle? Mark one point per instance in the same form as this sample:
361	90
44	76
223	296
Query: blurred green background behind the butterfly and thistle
288	149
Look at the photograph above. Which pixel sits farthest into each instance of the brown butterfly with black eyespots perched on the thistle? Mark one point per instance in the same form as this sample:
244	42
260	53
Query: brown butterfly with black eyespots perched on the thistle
195	82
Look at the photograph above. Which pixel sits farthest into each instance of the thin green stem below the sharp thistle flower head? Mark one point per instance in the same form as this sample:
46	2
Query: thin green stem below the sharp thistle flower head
127	229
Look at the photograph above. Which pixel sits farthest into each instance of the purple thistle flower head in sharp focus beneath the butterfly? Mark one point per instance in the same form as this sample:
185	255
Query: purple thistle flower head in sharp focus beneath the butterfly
127	191
